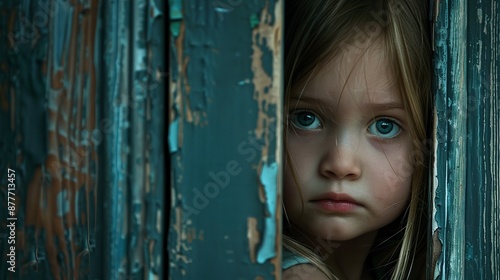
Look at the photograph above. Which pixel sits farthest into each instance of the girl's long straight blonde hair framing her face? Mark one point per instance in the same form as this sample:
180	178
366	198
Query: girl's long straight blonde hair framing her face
318	30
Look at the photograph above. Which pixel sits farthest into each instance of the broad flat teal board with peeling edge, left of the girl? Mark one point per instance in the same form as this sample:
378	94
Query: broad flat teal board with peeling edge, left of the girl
225	93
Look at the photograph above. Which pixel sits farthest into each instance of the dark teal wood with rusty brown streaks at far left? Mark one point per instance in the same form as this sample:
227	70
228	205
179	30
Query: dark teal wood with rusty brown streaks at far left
53	88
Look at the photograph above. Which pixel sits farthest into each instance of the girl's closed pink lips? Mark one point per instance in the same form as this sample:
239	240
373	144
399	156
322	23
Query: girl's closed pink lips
335	202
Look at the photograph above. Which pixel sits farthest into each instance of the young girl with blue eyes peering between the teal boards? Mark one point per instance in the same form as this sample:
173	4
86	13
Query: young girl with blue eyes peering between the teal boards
357	99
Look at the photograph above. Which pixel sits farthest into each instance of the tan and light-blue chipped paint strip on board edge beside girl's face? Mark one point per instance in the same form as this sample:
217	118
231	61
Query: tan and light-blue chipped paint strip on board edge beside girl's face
266	39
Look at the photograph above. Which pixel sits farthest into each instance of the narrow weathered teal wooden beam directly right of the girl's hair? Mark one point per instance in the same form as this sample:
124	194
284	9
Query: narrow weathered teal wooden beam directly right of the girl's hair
450	169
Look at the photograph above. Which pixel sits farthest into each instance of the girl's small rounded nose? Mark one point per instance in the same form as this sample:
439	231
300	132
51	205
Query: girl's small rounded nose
341	159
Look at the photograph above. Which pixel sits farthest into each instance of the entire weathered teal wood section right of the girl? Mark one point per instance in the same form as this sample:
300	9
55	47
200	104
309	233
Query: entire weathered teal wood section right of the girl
466	212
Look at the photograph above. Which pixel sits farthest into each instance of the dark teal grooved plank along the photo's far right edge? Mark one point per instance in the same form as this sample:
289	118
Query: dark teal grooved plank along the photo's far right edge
482	237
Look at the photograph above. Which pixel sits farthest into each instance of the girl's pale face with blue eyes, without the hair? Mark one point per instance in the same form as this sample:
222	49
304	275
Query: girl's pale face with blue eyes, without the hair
349	147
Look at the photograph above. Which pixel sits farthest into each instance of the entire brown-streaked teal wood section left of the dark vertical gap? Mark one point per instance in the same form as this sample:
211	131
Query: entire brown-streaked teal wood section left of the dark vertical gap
82	122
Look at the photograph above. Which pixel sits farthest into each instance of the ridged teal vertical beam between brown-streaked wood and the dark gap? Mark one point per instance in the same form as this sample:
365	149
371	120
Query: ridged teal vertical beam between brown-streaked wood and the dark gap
134	188
